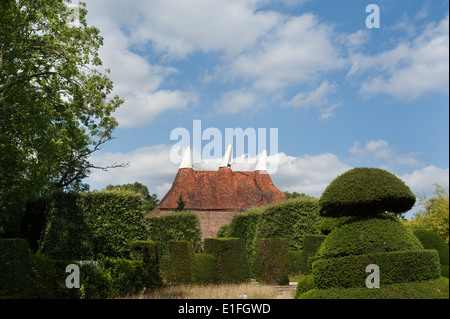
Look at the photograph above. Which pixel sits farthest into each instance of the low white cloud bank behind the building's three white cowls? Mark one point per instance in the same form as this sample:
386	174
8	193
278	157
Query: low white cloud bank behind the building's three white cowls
153	167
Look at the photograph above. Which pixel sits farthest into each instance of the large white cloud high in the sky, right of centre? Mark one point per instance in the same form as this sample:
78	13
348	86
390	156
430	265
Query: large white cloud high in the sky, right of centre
297	51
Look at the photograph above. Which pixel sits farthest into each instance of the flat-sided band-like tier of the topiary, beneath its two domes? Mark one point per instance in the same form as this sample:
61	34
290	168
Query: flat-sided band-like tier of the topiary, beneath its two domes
395	267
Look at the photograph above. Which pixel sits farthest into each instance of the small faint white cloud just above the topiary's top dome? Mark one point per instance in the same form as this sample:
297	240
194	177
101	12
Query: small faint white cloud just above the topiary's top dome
380	153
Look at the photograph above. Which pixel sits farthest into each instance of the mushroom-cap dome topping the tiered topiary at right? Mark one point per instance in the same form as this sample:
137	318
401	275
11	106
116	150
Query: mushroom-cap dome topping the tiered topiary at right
365	191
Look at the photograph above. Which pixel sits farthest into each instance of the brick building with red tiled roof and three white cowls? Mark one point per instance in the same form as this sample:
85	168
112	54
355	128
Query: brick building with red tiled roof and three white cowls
216	195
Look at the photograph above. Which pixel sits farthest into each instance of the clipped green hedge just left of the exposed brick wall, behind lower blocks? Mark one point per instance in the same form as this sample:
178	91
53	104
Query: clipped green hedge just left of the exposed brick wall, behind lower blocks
174	226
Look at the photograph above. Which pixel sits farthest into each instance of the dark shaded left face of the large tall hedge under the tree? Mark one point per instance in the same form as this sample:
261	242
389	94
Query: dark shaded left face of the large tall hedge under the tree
67	234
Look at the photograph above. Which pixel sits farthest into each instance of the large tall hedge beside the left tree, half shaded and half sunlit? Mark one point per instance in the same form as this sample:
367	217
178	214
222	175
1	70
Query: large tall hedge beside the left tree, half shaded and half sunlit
83	226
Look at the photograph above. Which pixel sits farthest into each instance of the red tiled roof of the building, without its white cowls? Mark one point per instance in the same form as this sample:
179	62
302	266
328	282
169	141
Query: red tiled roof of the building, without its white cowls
223	190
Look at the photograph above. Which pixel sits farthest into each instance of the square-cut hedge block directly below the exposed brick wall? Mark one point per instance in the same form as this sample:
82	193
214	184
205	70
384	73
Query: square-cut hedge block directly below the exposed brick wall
231	260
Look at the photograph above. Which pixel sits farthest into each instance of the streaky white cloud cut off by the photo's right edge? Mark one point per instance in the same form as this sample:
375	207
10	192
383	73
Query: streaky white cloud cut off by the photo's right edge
409	70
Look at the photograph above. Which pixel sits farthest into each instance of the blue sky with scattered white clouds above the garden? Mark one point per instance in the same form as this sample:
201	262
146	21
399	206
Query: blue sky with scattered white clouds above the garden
339	90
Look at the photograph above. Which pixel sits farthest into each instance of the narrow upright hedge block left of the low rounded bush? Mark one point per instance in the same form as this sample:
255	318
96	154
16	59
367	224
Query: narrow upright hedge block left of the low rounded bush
182	262
